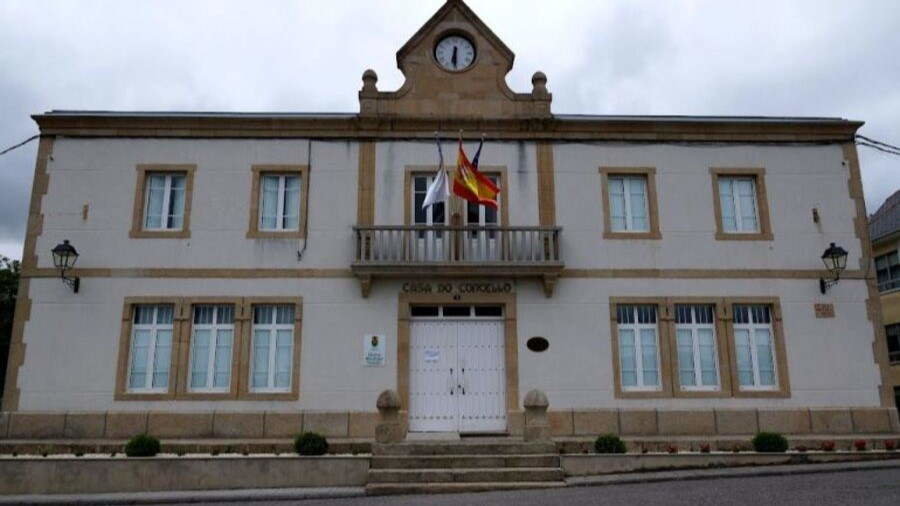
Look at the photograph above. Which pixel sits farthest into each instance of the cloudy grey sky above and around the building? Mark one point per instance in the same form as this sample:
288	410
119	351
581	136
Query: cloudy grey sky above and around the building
765	57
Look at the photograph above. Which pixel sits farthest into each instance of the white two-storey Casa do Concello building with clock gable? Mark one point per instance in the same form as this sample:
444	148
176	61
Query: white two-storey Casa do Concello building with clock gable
652	275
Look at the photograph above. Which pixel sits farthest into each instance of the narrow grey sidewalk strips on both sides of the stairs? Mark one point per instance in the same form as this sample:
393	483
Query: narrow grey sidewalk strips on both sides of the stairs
267	495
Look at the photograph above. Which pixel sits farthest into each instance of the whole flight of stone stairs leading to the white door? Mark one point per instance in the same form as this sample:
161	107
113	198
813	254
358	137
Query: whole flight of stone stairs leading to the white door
434	467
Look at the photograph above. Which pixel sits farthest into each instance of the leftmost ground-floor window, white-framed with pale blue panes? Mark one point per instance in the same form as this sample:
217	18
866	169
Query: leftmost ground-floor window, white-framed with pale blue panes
151	348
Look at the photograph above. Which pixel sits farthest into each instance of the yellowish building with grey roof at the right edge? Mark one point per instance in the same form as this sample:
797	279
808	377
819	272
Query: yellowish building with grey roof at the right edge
884	228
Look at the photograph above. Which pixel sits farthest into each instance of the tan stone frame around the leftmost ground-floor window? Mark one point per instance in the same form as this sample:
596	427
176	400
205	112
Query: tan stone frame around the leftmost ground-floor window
123	371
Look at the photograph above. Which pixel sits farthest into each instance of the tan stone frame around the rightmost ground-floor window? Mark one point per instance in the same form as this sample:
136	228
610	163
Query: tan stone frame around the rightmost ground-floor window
779	349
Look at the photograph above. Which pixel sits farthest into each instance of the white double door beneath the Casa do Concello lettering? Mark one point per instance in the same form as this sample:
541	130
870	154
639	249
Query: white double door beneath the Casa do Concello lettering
457	377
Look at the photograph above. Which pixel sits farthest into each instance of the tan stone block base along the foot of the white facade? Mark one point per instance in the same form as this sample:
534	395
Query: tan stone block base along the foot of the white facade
361	425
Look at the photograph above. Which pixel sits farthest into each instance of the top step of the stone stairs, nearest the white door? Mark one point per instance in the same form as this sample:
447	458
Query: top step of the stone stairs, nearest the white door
464	448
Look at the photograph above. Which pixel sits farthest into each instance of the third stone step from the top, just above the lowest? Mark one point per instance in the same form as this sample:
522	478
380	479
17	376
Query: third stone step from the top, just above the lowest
528	474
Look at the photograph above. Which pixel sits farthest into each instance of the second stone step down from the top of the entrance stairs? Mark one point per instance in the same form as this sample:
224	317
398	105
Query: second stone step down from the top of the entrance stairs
462	461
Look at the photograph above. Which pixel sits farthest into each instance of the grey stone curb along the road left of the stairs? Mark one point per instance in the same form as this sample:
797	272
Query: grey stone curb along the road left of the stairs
237	496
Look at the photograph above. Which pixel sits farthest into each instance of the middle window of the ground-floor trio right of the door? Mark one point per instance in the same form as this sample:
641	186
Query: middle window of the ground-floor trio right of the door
695	332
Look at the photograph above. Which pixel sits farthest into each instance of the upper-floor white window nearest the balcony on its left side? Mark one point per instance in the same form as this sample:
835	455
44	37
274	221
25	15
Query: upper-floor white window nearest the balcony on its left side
280	203
